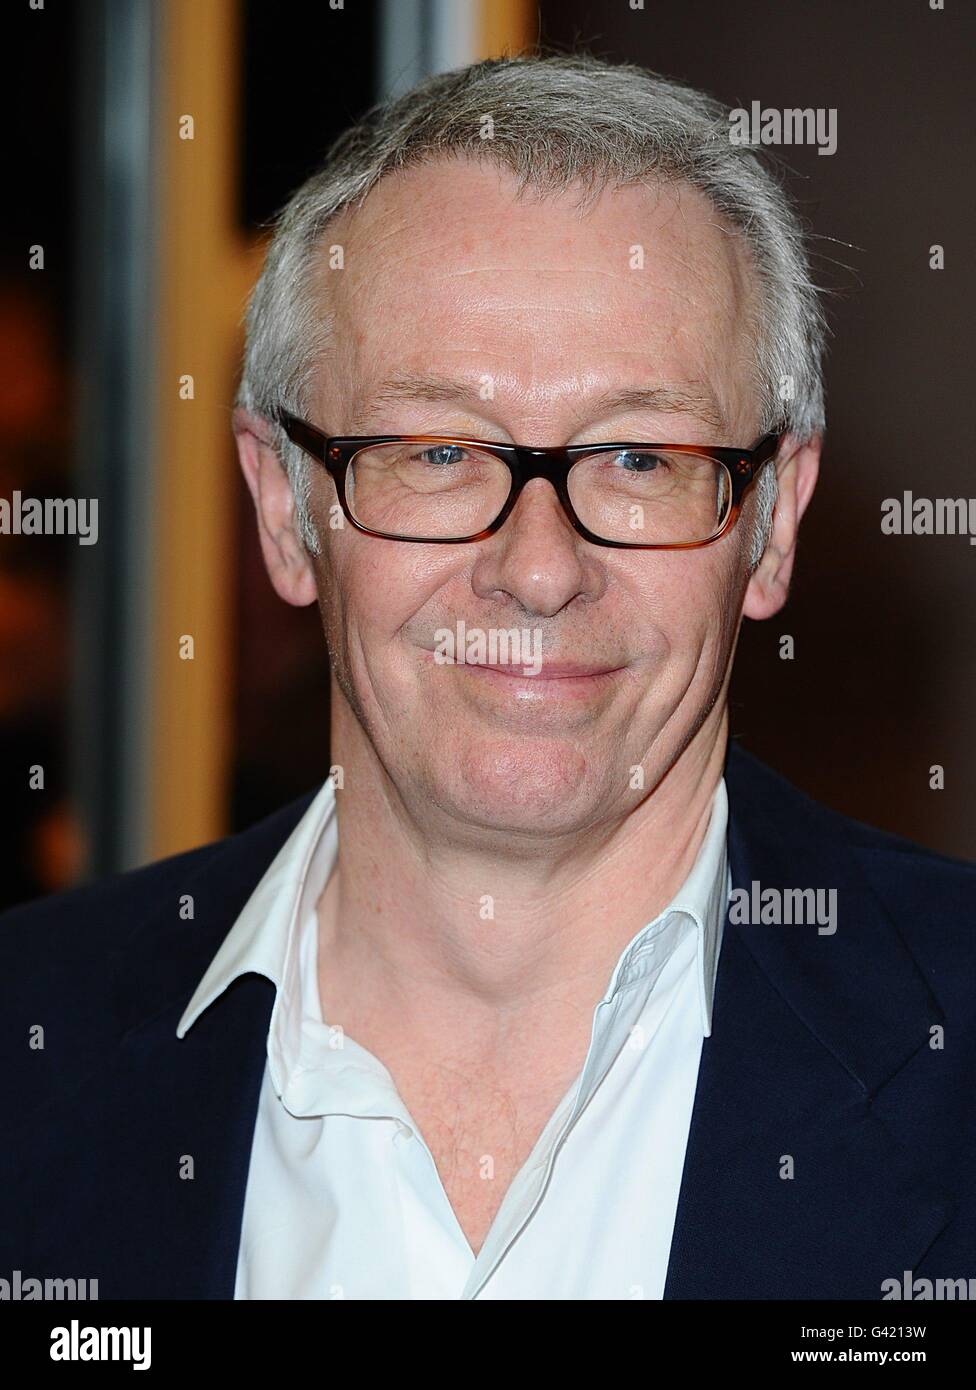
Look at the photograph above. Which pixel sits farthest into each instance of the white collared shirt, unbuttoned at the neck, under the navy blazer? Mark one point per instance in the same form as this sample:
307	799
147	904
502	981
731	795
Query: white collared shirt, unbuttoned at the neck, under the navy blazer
344	1199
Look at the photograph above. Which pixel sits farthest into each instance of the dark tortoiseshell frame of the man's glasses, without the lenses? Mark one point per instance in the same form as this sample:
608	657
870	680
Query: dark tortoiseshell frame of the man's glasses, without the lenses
337	452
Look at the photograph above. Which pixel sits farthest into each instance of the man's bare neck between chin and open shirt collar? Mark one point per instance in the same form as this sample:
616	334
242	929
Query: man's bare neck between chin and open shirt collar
429	929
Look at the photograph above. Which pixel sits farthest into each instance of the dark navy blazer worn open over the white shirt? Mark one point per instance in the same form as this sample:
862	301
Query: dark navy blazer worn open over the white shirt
825	1047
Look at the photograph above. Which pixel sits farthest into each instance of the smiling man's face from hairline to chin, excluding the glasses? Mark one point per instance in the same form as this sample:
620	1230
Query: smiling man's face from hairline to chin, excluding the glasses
529	313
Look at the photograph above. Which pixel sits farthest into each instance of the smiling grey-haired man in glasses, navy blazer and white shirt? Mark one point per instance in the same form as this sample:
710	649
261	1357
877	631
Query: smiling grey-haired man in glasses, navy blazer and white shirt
548	993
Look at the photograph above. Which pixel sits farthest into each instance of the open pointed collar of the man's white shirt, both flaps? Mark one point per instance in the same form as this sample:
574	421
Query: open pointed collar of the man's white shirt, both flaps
266	938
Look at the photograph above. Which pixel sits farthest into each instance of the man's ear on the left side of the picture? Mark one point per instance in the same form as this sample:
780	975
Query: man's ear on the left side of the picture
286	558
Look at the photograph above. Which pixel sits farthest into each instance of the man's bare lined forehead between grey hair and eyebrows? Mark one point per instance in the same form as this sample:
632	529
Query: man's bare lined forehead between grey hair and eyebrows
447	266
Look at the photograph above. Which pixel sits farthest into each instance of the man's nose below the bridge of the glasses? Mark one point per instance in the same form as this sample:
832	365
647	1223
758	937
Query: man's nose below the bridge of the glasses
537	558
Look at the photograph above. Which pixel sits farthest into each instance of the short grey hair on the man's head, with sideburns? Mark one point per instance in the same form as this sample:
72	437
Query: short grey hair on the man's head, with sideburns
555	123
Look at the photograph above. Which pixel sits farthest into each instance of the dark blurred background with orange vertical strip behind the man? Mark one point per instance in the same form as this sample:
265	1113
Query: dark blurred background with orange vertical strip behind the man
126	258
